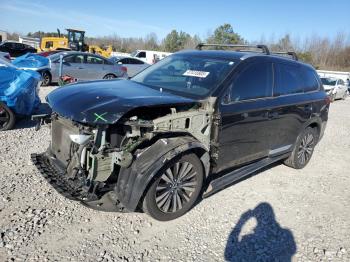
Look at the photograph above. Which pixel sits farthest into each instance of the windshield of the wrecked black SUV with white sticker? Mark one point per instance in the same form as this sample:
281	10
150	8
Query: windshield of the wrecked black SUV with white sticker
187	75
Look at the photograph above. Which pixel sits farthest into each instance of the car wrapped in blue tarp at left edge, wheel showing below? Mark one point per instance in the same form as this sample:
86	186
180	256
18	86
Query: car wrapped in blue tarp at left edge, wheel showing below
18	93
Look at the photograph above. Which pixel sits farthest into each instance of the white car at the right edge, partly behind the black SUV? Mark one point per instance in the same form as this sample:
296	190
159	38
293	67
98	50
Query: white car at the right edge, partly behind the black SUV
335	88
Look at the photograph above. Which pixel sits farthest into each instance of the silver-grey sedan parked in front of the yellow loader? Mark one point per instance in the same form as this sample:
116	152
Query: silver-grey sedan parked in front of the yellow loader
85	66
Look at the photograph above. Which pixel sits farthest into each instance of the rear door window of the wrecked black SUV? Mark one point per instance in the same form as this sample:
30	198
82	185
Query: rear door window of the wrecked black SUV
288	80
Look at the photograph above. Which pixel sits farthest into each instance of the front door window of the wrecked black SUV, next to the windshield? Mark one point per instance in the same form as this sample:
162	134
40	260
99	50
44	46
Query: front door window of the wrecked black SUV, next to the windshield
255	81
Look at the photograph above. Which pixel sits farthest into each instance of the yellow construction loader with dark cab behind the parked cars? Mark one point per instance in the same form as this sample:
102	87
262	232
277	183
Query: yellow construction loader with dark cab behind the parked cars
75	41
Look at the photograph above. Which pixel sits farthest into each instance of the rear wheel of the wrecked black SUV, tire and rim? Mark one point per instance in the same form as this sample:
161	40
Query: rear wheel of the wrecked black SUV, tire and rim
303	149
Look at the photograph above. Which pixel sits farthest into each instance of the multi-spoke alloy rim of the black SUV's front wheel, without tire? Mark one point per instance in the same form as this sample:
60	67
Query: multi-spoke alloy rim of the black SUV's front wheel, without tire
175	187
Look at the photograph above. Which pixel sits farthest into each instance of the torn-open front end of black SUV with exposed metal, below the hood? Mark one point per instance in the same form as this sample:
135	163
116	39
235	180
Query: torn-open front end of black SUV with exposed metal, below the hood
108	166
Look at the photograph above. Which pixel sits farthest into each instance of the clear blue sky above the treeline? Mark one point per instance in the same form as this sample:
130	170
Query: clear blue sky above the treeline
251	19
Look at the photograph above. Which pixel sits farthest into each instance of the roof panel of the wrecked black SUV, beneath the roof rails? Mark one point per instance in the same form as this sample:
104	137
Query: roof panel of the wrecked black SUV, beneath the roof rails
238	55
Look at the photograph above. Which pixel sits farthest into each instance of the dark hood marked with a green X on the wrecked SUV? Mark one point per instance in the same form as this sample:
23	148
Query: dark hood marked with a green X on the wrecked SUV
106	101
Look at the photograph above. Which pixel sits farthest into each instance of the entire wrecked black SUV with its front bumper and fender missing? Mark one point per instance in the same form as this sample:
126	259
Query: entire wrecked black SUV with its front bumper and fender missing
188	126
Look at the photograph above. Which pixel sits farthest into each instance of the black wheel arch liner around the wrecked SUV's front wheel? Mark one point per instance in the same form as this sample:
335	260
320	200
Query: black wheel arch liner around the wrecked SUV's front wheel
134	181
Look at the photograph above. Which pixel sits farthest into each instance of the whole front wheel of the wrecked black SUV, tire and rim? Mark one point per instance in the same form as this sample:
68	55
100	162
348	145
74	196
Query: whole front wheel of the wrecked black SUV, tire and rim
175	189
